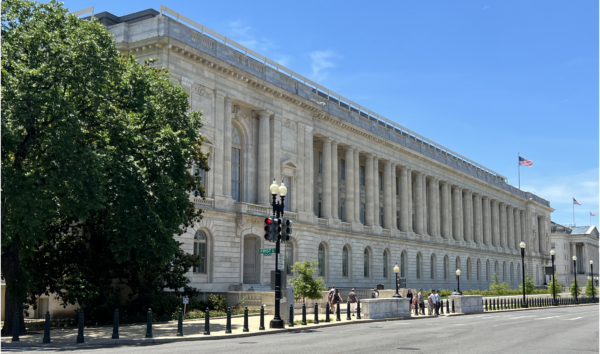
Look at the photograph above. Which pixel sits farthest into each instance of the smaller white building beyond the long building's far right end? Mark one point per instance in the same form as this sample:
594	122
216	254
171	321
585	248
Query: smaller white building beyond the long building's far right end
579	241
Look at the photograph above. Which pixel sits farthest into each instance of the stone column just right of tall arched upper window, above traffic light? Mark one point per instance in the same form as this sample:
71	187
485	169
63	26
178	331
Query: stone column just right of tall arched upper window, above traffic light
264	159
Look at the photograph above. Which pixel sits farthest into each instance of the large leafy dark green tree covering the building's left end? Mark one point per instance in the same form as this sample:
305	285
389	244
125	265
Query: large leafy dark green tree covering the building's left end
96	150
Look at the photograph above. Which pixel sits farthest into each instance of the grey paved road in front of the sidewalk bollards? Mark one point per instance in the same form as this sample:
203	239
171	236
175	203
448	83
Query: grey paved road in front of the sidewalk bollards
555	330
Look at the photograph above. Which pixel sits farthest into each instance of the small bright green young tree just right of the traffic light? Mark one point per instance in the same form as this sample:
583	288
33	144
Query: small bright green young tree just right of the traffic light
305	285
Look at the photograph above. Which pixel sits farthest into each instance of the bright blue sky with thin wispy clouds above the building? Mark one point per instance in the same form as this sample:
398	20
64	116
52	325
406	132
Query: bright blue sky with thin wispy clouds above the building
487	79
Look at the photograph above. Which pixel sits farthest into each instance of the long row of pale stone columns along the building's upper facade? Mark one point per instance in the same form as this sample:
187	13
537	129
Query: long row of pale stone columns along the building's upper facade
412	201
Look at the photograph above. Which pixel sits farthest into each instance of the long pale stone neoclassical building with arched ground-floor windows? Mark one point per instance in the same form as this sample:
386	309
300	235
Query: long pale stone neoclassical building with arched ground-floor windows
365	192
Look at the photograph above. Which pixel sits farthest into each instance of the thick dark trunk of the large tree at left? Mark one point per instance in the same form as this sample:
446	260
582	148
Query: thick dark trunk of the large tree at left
14	296
